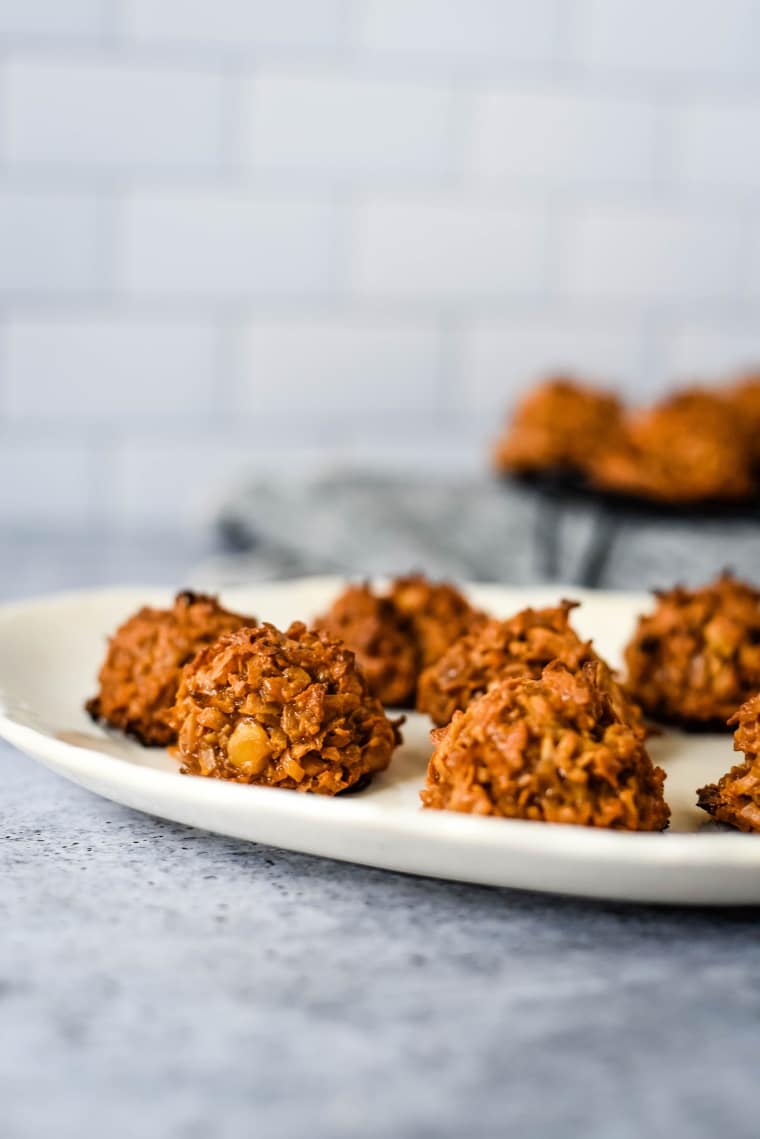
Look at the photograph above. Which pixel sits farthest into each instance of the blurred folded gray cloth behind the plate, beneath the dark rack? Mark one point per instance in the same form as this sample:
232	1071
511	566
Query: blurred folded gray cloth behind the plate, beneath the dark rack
363	525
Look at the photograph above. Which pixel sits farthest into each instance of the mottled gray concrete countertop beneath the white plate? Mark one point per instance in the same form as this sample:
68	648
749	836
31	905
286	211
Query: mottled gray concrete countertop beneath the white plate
159	981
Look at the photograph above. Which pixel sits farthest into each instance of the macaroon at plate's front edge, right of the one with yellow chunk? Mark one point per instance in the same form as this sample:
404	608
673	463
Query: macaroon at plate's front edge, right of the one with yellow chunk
551	750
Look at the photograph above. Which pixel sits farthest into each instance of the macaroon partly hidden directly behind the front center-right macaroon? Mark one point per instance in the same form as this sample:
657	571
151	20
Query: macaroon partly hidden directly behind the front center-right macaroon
521	646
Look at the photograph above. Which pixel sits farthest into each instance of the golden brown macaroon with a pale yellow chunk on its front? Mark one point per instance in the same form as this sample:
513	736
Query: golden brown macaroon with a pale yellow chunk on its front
281	710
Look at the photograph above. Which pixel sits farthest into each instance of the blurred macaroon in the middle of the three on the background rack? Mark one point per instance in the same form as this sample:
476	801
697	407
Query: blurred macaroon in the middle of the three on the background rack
692	448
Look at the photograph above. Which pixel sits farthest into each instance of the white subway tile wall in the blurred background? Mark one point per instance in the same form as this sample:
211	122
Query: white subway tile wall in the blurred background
248	236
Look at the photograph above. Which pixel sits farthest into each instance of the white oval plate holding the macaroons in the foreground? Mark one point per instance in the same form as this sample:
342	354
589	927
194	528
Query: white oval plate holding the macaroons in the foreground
51	651
